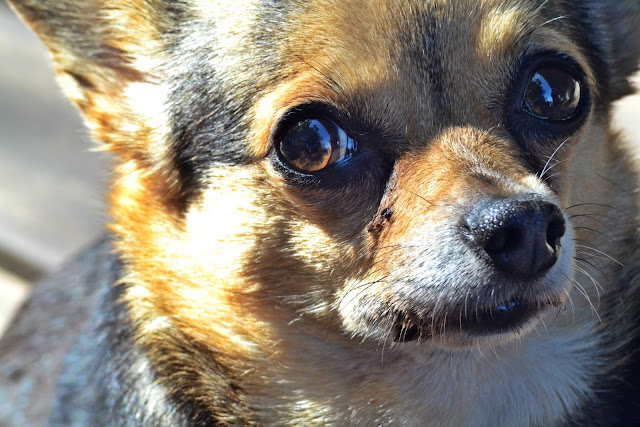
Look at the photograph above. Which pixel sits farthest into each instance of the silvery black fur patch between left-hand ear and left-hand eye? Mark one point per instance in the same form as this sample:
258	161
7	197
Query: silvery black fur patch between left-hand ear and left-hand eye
208	109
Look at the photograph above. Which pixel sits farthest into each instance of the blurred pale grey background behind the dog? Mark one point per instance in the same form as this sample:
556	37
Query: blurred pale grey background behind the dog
52	187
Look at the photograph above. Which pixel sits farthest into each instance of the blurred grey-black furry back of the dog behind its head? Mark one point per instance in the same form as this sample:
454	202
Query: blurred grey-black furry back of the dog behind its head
83	355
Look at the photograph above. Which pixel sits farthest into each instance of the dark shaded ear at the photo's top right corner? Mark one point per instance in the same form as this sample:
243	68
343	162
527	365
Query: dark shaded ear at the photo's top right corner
618	22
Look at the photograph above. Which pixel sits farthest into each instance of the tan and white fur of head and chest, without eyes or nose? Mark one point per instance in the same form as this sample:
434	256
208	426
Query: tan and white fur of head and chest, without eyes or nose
294	292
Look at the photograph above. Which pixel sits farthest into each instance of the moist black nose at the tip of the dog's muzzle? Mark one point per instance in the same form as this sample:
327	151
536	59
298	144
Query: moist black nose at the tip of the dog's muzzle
522	237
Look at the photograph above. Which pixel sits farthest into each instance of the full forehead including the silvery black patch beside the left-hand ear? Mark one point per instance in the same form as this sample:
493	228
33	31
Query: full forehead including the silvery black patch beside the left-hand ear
404	68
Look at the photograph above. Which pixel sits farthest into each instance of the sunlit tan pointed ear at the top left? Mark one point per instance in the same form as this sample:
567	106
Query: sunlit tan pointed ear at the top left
99	49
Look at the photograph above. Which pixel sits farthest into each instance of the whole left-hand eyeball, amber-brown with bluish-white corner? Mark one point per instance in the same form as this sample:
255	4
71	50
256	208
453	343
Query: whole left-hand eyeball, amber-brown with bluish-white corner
313	144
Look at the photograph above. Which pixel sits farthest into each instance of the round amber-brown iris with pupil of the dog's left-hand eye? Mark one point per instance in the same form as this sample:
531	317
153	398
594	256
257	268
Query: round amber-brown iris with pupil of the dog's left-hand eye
307	146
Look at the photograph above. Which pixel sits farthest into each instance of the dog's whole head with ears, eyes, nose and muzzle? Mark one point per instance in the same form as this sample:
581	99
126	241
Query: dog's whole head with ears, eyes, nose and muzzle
395	170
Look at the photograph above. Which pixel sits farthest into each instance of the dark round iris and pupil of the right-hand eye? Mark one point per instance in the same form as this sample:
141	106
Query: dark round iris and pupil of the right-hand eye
552	94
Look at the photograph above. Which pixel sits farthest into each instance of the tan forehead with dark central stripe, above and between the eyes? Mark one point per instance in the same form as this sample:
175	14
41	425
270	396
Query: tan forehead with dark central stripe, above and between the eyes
407	66
